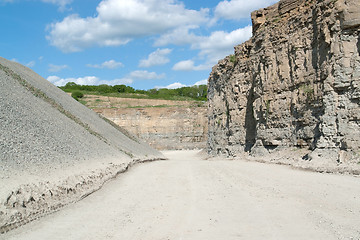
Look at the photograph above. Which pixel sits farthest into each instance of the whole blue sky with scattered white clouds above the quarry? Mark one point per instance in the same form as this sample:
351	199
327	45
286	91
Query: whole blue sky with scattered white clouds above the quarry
140	43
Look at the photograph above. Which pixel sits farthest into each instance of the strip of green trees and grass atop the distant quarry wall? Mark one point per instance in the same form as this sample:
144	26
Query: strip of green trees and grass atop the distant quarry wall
198	93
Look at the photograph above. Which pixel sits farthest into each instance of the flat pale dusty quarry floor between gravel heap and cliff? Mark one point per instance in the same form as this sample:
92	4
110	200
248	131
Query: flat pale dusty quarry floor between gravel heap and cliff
186	197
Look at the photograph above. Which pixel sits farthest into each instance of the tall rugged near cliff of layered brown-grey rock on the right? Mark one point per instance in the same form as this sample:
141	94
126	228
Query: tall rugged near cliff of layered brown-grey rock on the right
295	83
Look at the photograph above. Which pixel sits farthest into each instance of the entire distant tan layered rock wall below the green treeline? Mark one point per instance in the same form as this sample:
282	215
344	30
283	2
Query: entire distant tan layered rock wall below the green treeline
161	123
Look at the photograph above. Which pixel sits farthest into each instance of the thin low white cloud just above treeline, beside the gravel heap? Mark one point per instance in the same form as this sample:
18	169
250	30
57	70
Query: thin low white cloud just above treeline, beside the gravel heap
88	80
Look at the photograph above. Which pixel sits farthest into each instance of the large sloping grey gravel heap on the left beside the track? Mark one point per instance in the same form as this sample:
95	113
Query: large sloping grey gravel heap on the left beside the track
54	150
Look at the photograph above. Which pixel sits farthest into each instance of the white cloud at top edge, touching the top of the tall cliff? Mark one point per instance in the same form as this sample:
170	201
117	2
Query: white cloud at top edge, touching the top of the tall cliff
238	9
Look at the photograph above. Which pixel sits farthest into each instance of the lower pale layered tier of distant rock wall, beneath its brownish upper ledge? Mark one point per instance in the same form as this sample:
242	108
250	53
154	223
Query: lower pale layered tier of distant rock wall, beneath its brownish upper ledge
163	128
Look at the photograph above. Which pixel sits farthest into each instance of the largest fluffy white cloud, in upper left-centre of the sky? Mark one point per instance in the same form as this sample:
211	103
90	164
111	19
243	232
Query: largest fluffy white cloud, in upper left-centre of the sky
118	22
